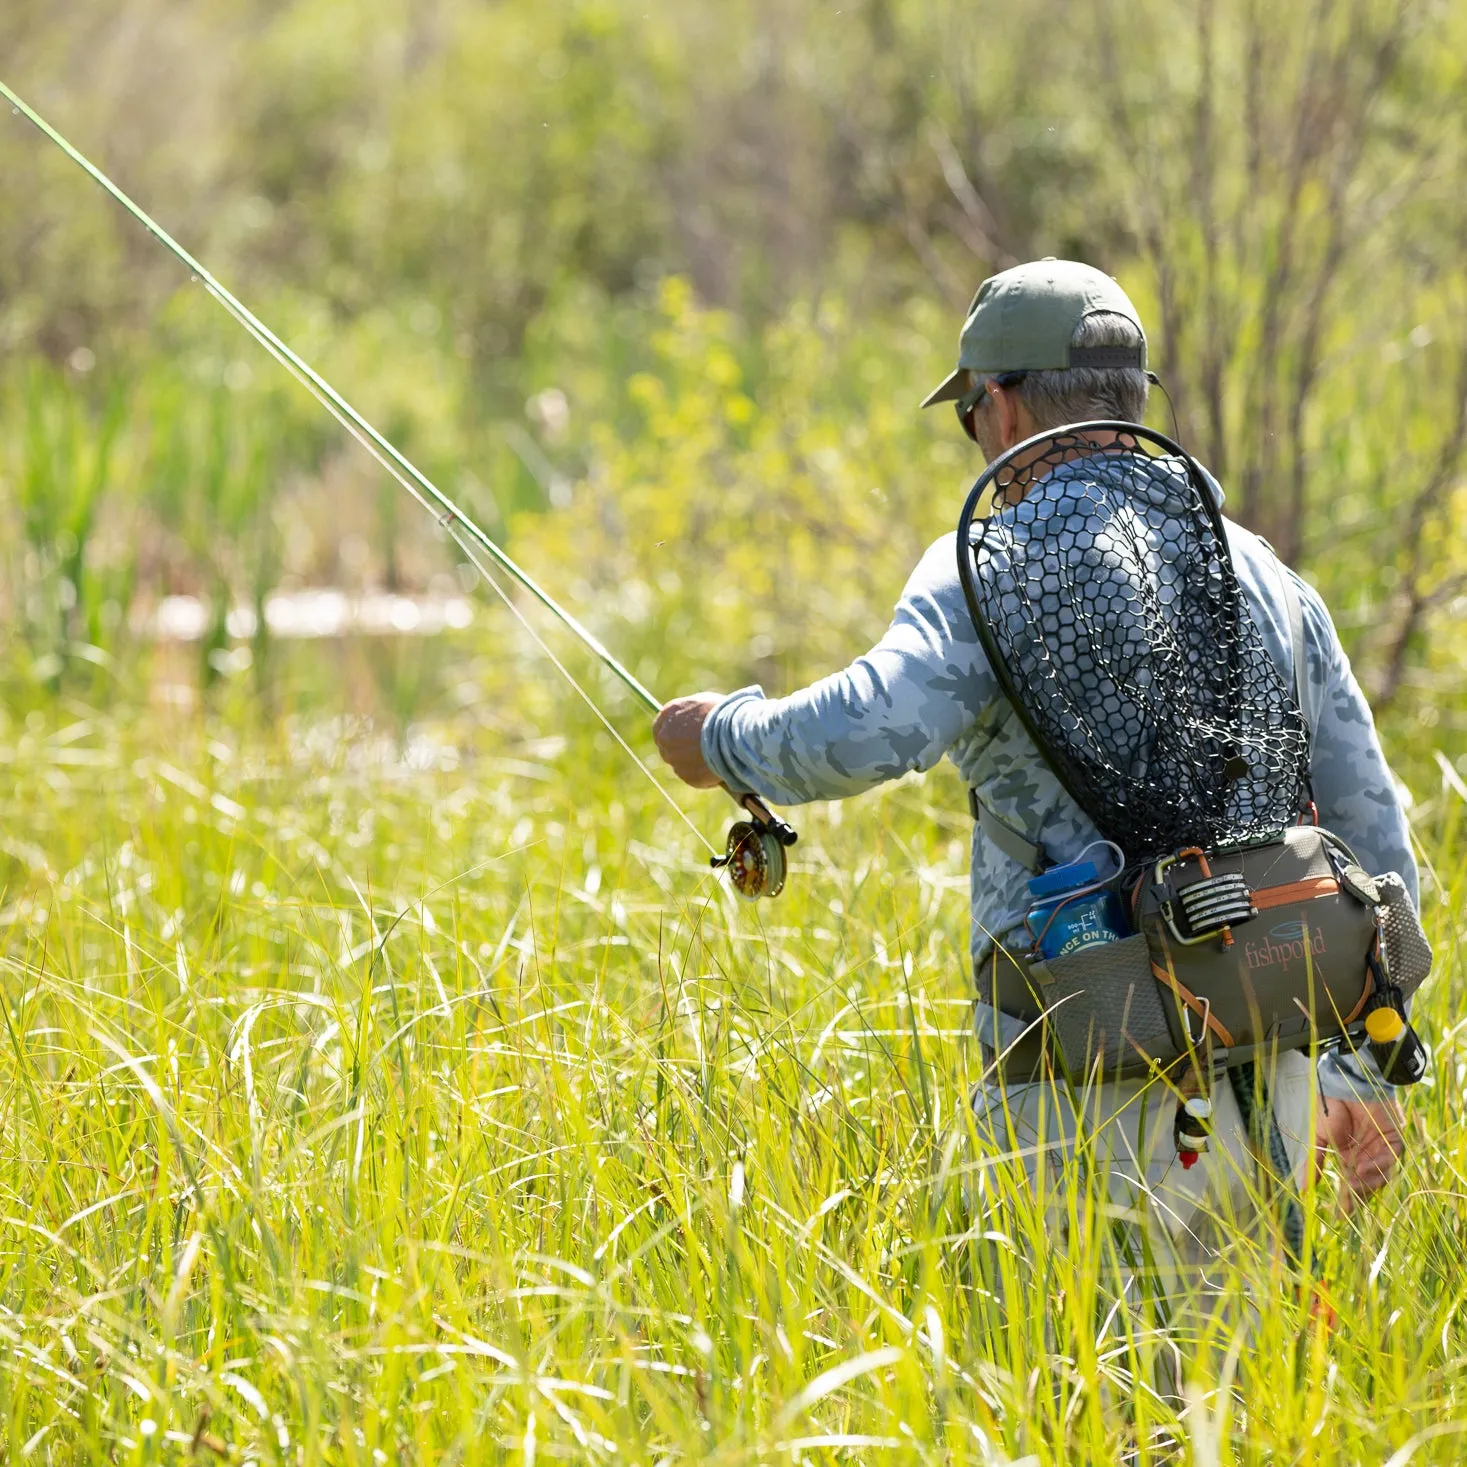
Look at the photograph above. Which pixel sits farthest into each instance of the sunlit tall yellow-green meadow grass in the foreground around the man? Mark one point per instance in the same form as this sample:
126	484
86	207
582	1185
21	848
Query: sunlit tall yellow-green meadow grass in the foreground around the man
397	1102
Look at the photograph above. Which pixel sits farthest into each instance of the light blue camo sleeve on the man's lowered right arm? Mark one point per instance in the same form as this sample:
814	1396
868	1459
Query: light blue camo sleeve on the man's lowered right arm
1358	800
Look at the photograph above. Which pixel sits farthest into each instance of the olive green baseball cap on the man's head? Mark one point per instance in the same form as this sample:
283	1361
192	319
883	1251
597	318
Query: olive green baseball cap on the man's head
1025	319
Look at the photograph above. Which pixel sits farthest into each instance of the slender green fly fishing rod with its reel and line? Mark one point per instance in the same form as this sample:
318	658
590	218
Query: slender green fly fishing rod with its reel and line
755	852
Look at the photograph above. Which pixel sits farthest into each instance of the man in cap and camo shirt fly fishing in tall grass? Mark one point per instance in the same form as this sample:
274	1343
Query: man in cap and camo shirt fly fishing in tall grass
1119	567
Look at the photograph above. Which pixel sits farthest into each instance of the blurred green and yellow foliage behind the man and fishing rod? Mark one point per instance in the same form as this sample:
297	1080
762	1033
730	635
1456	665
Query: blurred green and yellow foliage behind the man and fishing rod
661	287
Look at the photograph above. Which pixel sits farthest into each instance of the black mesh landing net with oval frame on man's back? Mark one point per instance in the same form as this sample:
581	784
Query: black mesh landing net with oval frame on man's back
1107	601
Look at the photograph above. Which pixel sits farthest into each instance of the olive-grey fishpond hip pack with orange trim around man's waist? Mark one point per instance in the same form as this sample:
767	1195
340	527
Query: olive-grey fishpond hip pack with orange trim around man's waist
1234	954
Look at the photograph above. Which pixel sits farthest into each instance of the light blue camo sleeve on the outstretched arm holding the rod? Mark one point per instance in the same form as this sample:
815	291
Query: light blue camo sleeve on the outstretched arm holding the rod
897	709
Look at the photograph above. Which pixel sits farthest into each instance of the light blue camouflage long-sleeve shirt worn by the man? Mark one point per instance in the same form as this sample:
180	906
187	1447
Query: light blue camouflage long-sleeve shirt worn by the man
926	692
